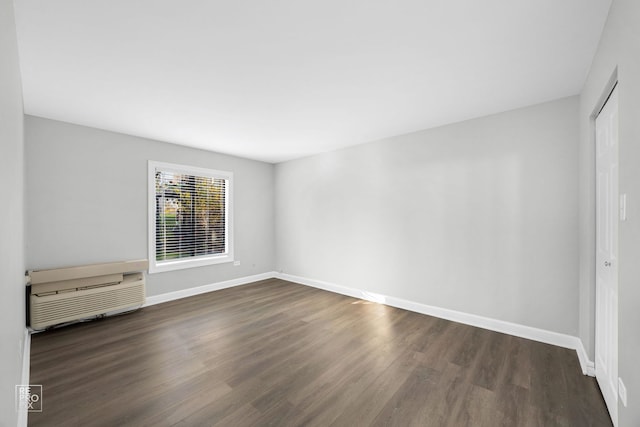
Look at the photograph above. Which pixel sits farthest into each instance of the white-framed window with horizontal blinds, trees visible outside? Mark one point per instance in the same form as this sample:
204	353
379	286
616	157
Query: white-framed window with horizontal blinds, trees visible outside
190	217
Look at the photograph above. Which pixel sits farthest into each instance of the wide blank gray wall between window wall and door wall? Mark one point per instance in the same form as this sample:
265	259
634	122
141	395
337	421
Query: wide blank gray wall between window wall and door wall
479	216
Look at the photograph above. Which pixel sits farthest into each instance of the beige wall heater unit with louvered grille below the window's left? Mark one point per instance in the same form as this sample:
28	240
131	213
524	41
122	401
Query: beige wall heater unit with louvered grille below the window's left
67	294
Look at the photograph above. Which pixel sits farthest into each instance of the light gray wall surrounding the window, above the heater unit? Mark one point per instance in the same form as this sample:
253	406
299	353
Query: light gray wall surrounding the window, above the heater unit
86	195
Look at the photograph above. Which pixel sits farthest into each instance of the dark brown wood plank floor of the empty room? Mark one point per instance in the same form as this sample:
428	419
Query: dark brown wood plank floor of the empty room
282	354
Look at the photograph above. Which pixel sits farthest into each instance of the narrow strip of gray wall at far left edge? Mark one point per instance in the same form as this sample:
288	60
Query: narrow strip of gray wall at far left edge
12	324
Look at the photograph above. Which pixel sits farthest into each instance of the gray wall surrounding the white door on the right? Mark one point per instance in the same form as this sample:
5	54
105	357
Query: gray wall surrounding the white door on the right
619	47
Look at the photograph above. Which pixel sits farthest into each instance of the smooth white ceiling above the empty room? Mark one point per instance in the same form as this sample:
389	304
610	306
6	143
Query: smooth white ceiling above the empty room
277	80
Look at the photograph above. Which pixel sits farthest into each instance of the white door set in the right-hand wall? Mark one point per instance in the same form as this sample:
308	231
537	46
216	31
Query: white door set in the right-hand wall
607	253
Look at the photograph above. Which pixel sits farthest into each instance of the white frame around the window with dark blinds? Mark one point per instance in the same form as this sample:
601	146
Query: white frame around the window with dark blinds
162	266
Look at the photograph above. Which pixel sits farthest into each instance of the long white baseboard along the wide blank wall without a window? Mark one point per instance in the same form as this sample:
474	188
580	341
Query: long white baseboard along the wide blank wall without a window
528	332
